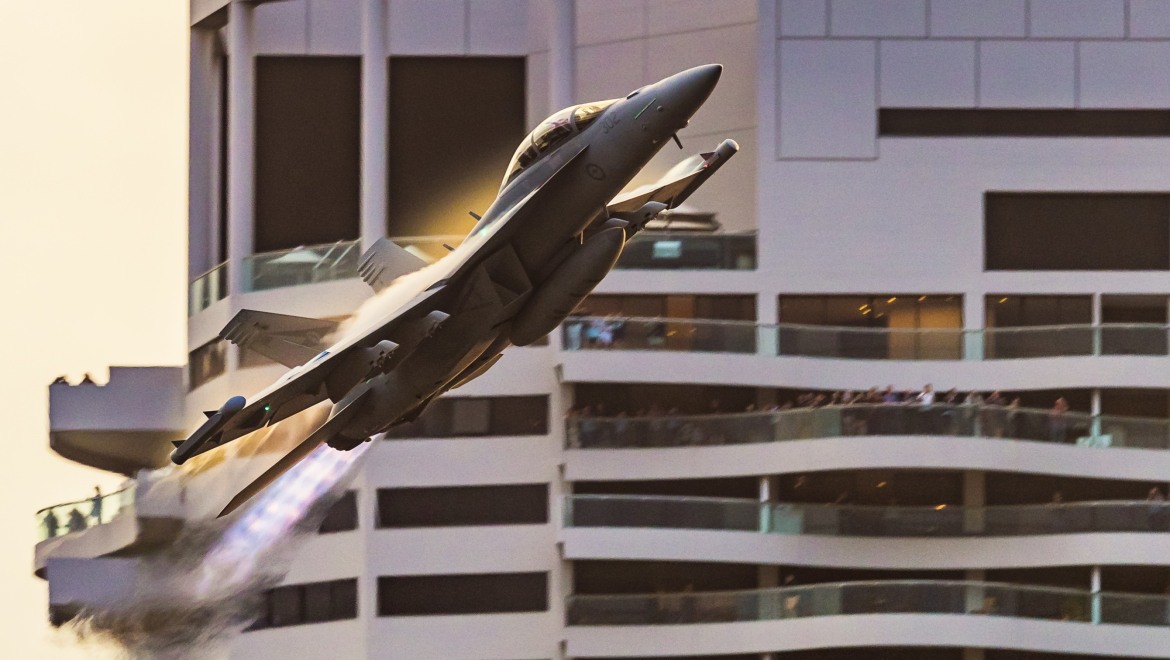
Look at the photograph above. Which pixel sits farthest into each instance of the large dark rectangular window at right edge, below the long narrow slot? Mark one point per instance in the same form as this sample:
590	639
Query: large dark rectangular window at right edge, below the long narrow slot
1077	231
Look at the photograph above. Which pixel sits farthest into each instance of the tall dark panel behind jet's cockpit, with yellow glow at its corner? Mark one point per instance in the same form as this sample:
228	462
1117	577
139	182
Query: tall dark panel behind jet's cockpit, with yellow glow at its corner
450	143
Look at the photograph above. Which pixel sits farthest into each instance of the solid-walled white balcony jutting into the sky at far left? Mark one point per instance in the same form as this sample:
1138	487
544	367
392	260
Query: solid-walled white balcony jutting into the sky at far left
123	427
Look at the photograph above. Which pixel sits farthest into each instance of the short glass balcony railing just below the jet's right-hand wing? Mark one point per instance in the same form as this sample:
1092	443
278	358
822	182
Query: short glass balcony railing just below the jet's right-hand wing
665	251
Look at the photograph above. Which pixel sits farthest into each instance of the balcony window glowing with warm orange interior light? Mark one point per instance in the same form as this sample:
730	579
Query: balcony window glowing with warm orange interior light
873	327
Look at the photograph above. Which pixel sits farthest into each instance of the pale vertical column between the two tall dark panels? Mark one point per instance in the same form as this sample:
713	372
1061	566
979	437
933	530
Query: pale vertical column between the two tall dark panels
375	84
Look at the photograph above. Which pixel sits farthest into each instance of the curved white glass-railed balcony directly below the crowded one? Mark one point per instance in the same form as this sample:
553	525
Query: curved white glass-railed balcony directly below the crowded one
705	530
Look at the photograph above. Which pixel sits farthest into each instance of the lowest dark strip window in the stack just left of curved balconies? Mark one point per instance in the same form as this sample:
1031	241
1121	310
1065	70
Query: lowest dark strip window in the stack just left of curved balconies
405	596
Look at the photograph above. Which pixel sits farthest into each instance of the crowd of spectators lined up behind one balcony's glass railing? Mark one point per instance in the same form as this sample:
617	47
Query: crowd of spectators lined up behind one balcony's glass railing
827	415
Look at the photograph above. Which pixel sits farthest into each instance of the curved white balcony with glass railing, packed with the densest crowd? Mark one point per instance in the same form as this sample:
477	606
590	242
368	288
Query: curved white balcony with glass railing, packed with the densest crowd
940	437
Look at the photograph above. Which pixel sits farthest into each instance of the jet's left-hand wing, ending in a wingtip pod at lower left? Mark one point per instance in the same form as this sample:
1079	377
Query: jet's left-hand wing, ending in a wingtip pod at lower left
304	387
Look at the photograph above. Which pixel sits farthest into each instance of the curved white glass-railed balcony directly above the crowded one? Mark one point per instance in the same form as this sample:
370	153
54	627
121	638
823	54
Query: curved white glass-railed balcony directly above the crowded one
732	353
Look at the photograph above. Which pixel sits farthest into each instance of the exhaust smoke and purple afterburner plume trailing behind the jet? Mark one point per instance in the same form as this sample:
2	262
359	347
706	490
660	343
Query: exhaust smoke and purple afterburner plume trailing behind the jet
192	597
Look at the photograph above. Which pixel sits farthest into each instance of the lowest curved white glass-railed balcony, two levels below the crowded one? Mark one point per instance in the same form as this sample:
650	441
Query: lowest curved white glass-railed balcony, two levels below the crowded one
870	614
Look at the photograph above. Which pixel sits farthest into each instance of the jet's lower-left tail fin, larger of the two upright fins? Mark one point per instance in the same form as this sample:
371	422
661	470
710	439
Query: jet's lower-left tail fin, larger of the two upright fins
288	340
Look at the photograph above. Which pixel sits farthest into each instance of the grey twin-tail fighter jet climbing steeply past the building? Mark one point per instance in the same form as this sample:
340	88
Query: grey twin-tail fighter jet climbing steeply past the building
554	232
